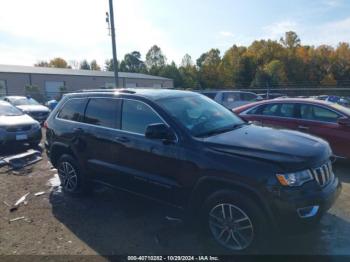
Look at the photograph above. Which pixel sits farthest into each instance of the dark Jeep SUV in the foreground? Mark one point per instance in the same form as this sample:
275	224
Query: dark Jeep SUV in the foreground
184	149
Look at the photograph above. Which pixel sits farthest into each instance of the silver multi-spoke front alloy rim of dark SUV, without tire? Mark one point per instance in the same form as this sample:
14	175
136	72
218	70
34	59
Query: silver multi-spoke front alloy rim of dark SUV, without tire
231	227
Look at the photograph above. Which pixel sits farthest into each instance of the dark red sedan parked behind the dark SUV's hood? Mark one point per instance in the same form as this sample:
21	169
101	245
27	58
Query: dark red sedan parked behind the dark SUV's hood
323	119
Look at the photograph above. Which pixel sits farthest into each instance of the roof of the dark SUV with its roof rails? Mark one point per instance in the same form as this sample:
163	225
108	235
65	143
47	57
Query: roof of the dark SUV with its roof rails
151	94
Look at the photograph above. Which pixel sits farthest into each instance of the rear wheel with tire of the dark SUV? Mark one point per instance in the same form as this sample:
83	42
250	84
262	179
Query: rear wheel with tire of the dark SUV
73	181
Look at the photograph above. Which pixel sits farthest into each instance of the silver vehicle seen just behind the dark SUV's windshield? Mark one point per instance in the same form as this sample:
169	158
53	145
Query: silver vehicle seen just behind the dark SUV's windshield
232	99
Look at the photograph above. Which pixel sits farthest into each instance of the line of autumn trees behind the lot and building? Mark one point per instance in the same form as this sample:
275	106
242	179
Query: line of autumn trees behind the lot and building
265	63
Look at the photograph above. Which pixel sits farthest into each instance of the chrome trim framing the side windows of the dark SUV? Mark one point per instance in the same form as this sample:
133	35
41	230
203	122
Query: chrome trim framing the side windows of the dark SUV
109	128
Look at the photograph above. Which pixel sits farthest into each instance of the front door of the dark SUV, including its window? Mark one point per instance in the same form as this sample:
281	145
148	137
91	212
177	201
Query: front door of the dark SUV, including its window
149	166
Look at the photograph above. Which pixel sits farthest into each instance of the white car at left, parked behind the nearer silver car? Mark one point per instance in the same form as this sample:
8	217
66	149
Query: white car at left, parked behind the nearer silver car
29	106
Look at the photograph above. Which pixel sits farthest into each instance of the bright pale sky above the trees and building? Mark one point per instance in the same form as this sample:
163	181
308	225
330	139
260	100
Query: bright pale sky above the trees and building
36	30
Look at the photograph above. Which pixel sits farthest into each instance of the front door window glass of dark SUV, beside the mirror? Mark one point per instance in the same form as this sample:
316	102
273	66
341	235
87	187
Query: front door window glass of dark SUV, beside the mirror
137	116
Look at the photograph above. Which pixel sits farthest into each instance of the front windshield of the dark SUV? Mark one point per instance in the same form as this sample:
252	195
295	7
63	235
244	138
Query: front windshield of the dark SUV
200	115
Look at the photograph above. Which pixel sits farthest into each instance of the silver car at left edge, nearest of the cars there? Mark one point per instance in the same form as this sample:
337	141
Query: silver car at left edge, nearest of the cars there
17	127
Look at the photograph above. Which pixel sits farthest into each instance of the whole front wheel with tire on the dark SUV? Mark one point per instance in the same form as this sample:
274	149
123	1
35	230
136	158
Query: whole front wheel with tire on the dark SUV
234	222
